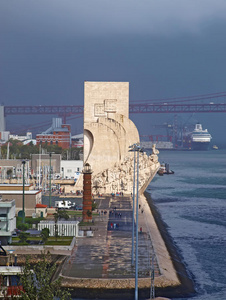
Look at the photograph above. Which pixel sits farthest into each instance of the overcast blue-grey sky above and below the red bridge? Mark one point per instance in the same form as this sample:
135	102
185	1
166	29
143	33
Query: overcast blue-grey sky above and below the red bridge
164	48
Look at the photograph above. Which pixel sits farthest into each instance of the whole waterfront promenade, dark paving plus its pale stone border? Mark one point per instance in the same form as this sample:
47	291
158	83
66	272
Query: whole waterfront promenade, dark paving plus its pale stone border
104	260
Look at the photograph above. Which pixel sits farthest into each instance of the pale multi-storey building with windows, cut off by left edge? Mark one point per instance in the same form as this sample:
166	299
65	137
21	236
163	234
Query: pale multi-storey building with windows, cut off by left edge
7	220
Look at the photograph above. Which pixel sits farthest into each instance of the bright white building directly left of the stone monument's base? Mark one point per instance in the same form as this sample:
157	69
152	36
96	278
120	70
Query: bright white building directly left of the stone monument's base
71	169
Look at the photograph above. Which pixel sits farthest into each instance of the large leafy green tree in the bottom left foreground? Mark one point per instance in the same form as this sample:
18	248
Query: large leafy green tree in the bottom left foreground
38	283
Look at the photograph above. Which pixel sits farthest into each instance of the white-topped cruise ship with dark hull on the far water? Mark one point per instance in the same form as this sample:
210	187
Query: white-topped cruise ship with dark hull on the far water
200	138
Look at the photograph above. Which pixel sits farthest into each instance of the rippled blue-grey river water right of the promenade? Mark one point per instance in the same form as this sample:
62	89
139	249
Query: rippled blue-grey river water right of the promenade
192	203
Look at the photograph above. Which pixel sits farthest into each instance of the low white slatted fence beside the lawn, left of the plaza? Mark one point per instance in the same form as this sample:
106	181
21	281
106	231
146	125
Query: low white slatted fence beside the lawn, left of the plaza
64	228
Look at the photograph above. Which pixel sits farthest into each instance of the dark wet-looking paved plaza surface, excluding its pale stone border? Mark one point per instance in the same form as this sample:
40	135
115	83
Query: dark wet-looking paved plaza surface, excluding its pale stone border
108	253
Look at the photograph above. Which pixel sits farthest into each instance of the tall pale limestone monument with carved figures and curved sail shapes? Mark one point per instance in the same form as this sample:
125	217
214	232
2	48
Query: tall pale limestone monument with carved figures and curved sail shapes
108	133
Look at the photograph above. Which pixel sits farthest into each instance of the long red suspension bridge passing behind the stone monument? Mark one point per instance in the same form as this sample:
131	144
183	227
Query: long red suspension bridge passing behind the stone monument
216	104
